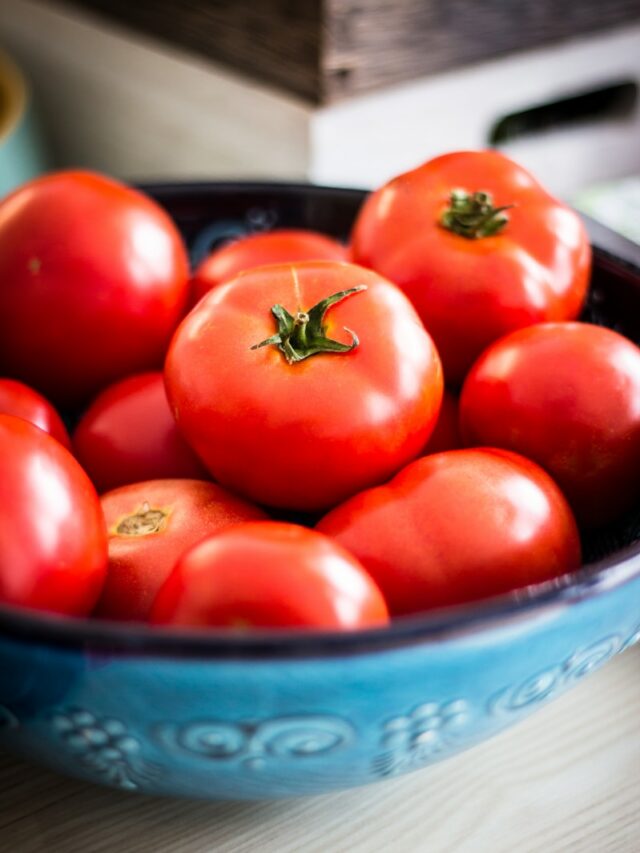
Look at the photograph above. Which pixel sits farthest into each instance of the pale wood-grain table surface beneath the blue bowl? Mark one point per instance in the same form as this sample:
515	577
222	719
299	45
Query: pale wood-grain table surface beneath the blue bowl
566	780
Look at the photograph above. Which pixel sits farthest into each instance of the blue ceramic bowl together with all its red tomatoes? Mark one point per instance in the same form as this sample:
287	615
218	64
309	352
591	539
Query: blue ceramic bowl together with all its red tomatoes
295	642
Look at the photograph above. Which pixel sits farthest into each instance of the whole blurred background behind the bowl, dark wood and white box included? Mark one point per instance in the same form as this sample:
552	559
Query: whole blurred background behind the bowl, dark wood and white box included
346	92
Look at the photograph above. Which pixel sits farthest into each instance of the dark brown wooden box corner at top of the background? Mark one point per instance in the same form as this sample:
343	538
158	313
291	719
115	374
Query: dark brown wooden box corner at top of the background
326	50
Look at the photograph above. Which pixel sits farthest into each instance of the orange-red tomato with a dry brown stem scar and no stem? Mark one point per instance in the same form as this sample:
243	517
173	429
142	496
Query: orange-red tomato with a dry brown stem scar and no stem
150	525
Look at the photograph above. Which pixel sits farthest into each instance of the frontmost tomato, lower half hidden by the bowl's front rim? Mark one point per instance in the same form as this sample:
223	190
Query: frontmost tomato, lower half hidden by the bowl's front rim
269	574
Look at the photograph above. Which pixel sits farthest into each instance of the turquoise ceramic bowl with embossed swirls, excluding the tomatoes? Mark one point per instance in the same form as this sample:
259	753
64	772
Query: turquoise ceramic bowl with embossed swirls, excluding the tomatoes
283	714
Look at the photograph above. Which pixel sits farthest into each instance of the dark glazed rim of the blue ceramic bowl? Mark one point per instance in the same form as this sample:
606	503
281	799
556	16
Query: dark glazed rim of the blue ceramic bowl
535	601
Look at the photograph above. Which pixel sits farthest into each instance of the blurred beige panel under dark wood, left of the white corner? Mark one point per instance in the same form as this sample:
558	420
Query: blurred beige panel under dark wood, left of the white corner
133	107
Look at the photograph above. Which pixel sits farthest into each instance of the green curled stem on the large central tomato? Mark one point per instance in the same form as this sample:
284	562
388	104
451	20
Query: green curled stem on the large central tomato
305	334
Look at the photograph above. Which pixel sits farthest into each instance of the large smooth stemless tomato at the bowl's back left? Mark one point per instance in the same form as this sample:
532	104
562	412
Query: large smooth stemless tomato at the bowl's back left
93	280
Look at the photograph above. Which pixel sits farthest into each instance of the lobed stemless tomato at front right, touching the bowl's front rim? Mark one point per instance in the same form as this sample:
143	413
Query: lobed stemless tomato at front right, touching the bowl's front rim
458	526
